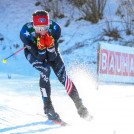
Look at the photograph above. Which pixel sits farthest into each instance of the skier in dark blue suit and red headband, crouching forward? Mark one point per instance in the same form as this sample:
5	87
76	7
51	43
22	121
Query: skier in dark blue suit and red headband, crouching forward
41	40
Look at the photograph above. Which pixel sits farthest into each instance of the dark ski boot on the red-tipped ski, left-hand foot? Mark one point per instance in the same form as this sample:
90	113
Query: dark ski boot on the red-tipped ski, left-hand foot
49	110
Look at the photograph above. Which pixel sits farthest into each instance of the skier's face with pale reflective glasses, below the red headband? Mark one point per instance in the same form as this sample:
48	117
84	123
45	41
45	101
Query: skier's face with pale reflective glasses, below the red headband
42	30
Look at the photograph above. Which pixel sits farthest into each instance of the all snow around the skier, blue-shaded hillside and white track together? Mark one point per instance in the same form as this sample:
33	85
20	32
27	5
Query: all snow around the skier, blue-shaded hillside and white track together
21	107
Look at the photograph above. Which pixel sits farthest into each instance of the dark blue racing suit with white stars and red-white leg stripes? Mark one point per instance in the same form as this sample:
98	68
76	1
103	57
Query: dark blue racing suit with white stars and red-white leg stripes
43	60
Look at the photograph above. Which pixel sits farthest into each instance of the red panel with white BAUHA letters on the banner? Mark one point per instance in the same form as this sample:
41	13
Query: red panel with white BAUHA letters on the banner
116	63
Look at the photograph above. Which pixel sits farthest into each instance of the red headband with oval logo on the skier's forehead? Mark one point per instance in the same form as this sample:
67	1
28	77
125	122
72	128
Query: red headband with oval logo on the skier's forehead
40	20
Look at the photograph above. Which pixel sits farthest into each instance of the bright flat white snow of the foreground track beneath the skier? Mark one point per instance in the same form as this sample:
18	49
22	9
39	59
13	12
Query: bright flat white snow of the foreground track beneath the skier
21	108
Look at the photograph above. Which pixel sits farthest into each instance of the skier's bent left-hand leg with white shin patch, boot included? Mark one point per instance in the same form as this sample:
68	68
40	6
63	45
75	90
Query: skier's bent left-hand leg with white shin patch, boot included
44	84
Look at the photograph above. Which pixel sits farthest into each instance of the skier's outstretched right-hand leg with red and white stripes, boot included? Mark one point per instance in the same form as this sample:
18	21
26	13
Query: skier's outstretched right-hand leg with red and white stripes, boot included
59	69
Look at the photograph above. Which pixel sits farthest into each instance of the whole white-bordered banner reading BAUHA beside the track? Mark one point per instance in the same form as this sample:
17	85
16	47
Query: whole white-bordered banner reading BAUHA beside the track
115	63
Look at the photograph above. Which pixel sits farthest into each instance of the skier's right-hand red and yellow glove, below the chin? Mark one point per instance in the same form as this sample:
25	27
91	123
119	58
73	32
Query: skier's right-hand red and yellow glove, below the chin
49	41
